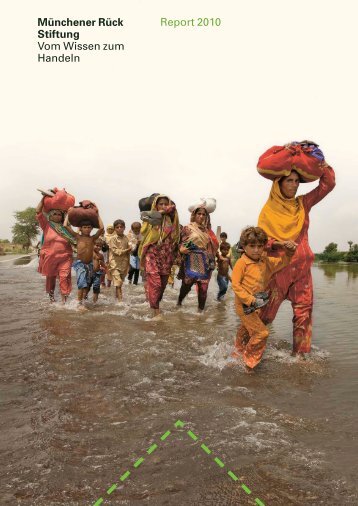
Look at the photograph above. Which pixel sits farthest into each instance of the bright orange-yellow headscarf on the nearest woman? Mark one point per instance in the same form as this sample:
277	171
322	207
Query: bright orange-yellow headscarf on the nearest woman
282	218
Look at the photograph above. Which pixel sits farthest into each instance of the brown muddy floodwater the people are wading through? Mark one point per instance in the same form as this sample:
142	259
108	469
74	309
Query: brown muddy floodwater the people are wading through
84	396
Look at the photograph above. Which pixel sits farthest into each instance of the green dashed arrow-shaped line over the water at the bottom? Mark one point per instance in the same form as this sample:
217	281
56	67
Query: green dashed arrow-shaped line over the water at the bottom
178	424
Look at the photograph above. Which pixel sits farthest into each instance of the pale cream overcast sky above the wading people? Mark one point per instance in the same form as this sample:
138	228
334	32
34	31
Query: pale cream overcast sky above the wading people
185	111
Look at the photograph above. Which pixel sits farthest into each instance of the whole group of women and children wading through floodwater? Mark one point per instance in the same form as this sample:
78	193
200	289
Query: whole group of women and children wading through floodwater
274	266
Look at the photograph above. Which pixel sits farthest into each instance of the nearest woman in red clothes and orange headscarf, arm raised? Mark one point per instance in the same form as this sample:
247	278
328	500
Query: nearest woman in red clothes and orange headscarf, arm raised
285	218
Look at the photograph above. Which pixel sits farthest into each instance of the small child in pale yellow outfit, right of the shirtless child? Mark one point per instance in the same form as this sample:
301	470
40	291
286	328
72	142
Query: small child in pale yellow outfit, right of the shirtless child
119	250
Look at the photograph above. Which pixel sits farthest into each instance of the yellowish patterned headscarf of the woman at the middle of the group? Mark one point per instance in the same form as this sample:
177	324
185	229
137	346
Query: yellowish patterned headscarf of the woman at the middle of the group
157	234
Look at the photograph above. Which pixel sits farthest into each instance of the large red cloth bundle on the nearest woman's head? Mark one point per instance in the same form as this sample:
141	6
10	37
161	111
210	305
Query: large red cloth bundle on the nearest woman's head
304	157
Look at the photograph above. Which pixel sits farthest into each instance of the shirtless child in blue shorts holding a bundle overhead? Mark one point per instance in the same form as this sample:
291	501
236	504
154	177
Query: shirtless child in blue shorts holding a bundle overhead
83	265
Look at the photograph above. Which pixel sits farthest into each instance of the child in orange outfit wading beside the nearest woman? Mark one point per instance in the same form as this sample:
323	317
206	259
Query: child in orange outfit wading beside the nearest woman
250	277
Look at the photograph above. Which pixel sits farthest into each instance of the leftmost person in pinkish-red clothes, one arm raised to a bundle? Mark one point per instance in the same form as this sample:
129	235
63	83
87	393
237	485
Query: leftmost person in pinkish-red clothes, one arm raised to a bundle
55	257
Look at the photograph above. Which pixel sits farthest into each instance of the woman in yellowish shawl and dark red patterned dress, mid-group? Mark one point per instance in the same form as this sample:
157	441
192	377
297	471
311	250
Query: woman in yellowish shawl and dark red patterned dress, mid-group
158	248
